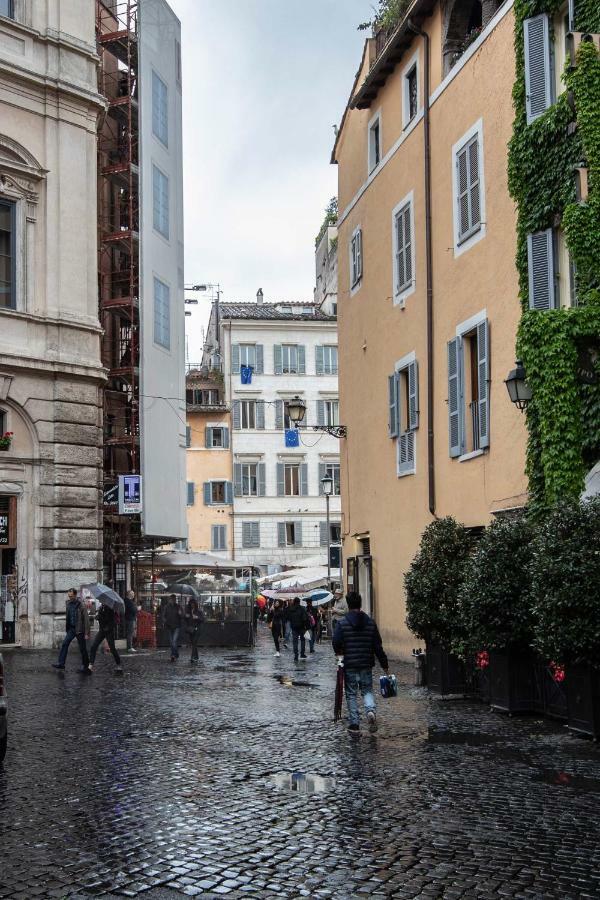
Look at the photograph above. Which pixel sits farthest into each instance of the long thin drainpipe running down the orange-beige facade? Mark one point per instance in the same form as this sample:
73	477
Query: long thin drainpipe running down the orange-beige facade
416	29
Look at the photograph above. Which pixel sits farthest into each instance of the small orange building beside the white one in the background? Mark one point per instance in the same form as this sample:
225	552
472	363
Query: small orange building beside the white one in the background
209	463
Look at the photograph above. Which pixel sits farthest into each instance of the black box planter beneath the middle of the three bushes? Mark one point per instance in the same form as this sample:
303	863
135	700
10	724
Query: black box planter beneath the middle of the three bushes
513	682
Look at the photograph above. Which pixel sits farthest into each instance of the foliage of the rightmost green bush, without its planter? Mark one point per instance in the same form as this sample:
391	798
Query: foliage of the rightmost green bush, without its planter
566	584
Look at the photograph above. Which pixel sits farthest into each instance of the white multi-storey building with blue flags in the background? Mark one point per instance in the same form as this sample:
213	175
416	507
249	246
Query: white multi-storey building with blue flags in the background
279	512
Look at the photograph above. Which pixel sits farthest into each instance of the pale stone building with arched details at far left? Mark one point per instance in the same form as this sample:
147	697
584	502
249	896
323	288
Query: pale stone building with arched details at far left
51	375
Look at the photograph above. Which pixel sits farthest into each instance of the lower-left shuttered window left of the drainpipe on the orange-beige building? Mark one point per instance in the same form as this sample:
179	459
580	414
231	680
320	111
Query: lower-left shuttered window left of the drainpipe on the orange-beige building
403	401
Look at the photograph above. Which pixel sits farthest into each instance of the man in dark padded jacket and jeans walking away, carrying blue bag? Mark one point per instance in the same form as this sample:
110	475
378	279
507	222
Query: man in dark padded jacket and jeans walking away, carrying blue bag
357	639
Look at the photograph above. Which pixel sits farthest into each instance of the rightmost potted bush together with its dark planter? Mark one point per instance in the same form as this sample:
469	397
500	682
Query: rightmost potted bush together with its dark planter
566	597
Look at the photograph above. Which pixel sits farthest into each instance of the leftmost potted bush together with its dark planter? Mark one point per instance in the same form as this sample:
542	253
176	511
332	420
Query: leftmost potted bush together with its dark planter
433	583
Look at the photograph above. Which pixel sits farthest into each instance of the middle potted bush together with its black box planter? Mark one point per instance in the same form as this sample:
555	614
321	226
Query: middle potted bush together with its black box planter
497	618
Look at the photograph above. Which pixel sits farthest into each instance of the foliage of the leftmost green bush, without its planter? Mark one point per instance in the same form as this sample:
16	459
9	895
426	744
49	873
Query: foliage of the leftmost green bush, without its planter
434	580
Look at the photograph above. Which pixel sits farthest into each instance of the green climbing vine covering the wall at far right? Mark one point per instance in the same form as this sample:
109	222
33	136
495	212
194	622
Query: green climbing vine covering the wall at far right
563	416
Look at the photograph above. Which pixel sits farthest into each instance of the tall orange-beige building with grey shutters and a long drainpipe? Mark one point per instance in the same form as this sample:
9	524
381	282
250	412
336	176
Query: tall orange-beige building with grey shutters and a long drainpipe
428	292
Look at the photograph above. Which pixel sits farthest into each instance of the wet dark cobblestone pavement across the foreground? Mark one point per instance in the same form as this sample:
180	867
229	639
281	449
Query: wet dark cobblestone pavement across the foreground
160	784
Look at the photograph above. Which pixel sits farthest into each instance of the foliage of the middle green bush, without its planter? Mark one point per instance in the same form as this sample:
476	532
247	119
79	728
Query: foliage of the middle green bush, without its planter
495	598
